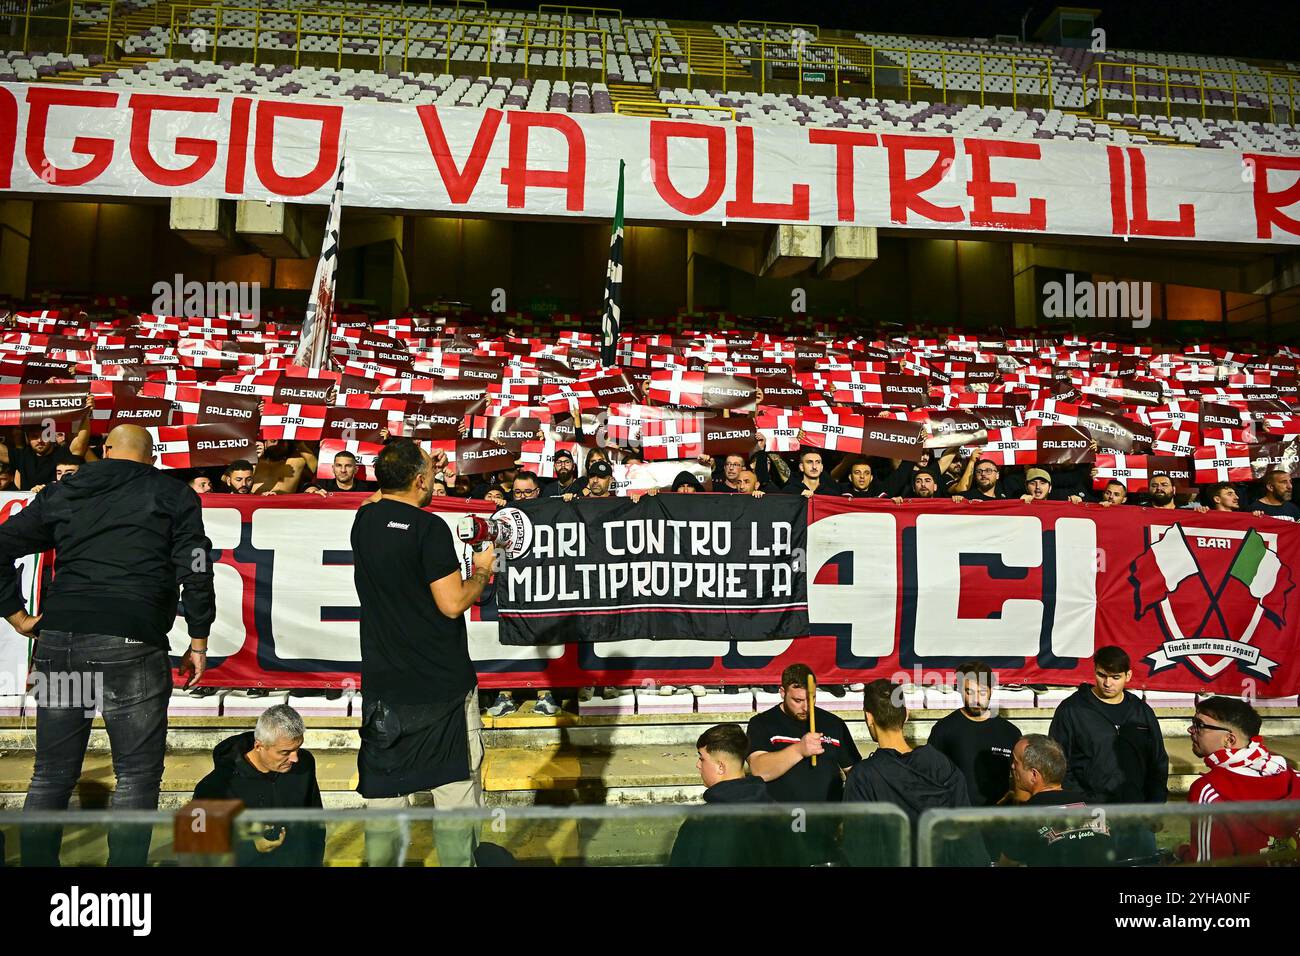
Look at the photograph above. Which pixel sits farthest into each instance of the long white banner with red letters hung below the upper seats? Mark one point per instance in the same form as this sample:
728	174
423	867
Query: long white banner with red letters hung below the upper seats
98	142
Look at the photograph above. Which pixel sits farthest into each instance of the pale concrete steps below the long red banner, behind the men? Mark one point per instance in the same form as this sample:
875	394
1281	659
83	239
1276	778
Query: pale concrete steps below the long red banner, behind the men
564	760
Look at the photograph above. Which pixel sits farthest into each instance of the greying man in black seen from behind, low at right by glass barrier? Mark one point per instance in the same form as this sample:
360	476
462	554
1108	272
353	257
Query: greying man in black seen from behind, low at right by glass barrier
1038	768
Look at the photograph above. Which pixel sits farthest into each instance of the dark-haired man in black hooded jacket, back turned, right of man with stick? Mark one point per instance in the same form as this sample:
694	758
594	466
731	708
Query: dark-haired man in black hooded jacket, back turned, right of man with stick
913	780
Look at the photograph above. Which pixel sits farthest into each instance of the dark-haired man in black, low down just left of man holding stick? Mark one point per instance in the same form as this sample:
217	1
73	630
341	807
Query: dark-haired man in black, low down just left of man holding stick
729	842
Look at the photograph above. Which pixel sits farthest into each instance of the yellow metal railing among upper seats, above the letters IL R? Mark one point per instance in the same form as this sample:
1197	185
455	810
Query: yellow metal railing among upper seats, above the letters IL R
1203	81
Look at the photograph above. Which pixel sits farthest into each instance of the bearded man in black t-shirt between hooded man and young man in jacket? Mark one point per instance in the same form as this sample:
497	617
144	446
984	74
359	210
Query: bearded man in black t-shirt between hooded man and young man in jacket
976	739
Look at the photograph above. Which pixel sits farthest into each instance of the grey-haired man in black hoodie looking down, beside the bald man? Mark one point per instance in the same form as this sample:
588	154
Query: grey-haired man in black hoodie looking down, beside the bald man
267	768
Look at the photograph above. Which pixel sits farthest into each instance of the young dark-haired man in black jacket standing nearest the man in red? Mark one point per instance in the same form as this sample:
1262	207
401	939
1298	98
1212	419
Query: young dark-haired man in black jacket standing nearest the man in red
1113	746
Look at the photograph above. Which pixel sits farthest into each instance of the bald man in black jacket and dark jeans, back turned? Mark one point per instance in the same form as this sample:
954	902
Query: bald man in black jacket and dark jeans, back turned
129	544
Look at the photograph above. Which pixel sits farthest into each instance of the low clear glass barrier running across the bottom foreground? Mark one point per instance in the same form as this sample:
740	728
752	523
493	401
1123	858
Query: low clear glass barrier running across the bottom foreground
597	836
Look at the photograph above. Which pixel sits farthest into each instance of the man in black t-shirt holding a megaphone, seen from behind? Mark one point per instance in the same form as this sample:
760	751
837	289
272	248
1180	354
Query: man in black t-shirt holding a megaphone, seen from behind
421	724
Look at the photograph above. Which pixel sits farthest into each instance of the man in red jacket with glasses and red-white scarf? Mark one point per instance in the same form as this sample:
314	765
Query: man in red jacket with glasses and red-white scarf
1227	736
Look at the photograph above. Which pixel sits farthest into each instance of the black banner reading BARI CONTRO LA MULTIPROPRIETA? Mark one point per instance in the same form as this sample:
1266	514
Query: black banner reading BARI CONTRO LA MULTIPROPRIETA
670	568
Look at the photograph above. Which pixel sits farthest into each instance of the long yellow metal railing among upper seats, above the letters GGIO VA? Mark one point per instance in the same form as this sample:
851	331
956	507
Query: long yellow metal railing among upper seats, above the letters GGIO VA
497	40
